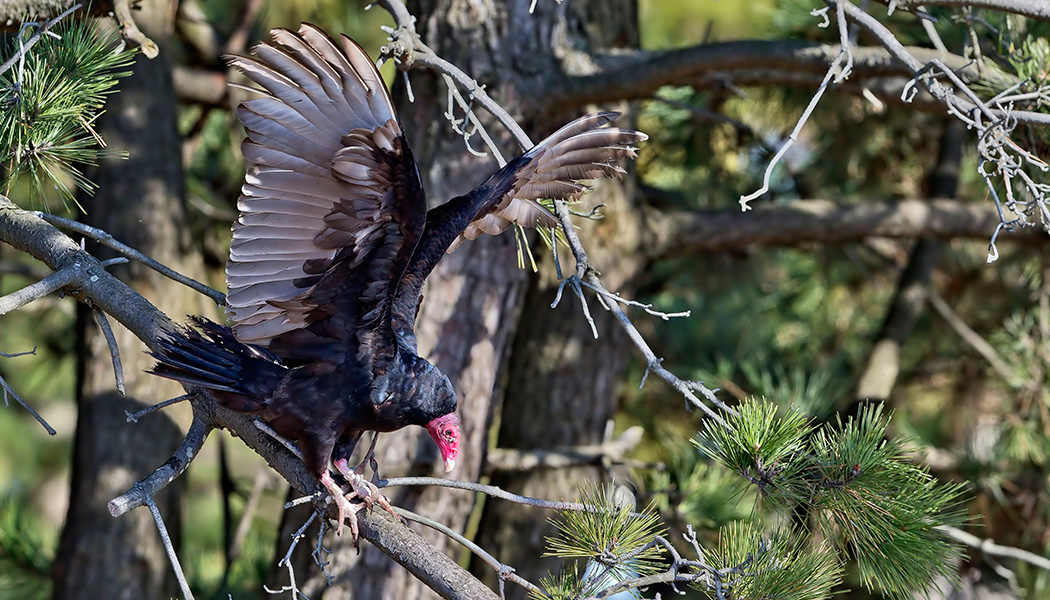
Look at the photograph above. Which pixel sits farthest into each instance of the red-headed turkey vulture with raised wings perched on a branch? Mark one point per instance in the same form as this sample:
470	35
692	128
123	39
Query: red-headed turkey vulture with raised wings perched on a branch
333	245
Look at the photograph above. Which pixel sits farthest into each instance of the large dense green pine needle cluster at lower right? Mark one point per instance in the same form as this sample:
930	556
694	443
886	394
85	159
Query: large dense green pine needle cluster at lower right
856	485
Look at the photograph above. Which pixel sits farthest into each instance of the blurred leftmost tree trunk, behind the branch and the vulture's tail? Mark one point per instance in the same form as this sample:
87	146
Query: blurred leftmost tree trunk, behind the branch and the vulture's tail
140	202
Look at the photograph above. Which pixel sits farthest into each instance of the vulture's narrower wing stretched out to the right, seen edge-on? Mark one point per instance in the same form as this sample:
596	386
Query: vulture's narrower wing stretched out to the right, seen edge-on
584	150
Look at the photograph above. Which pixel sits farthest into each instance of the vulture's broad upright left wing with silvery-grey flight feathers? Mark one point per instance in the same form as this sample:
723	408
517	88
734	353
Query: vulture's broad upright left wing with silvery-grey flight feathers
332	208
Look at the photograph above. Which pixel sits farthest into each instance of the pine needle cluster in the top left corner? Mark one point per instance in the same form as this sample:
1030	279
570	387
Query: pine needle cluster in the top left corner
49	104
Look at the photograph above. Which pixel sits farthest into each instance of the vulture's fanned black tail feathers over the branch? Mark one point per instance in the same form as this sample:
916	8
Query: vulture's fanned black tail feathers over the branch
209	357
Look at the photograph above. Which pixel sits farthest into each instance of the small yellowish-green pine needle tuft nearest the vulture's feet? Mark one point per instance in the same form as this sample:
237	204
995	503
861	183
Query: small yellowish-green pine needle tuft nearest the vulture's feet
614	536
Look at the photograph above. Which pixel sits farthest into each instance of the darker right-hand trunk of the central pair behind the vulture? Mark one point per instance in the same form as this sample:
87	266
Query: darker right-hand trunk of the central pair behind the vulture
563	384
